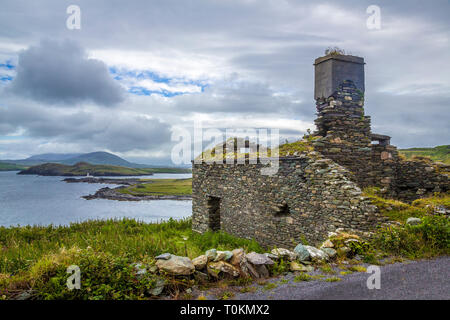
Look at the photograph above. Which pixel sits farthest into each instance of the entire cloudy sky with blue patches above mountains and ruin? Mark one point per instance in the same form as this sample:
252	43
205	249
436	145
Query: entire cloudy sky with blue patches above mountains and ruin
137	71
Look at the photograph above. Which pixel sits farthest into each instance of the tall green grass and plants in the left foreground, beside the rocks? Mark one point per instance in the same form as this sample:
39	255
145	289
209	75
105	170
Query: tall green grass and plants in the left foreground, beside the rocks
37	257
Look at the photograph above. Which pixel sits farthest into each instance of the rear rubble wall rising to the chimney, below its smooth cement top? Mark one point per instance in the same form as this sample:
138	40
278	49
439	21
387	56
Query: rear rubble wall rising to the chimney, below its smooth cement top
345	137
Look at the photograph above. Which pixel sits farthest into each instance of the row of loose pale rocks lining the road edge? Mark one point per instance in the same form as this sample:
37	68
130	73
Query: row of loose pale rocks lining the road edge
215	264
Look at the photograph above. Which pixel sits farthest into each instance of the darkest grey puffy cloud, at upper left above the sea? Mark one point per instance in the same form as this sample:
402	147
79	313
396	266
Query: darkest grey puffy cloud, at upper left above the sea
55	72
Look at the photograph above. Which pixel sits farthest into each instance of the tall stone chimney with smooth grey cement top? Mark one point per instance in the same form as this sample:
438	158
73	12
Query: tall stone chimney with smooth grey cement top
341	123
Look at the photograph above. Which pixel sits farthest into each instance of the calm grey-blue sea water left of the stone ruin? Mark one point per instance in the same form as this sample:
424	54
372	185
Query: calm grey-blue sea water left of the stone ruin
37	200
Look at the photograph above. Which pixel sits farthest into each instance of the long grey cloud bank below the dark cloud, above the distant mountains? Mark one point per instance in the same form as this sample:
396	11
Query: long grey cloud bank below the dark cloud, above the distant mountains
117	131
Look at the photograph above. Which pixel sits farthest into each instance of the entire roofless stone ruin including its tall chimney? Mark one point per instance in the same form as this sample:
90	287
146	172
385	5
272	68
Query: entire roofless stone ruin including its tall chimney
316	192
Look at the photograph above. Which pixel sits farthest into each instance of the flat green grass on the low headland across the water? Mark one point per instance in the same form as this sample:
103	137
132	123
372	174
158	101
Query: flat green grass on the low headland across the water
160	187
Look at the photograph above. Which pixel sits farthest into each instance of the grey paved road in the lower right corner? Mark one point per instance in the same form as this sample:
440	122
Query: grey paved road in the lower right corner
427	279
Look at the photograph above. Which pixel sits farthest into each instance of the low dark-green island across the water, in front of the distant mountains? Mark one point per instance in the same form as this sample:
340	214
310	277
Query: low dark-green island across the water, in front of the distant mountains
83	169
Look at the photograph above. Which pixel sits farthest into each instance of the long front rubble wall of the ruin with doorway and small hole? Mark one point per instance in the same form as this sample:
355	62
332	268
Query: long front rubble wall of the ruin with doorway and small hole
307	198
